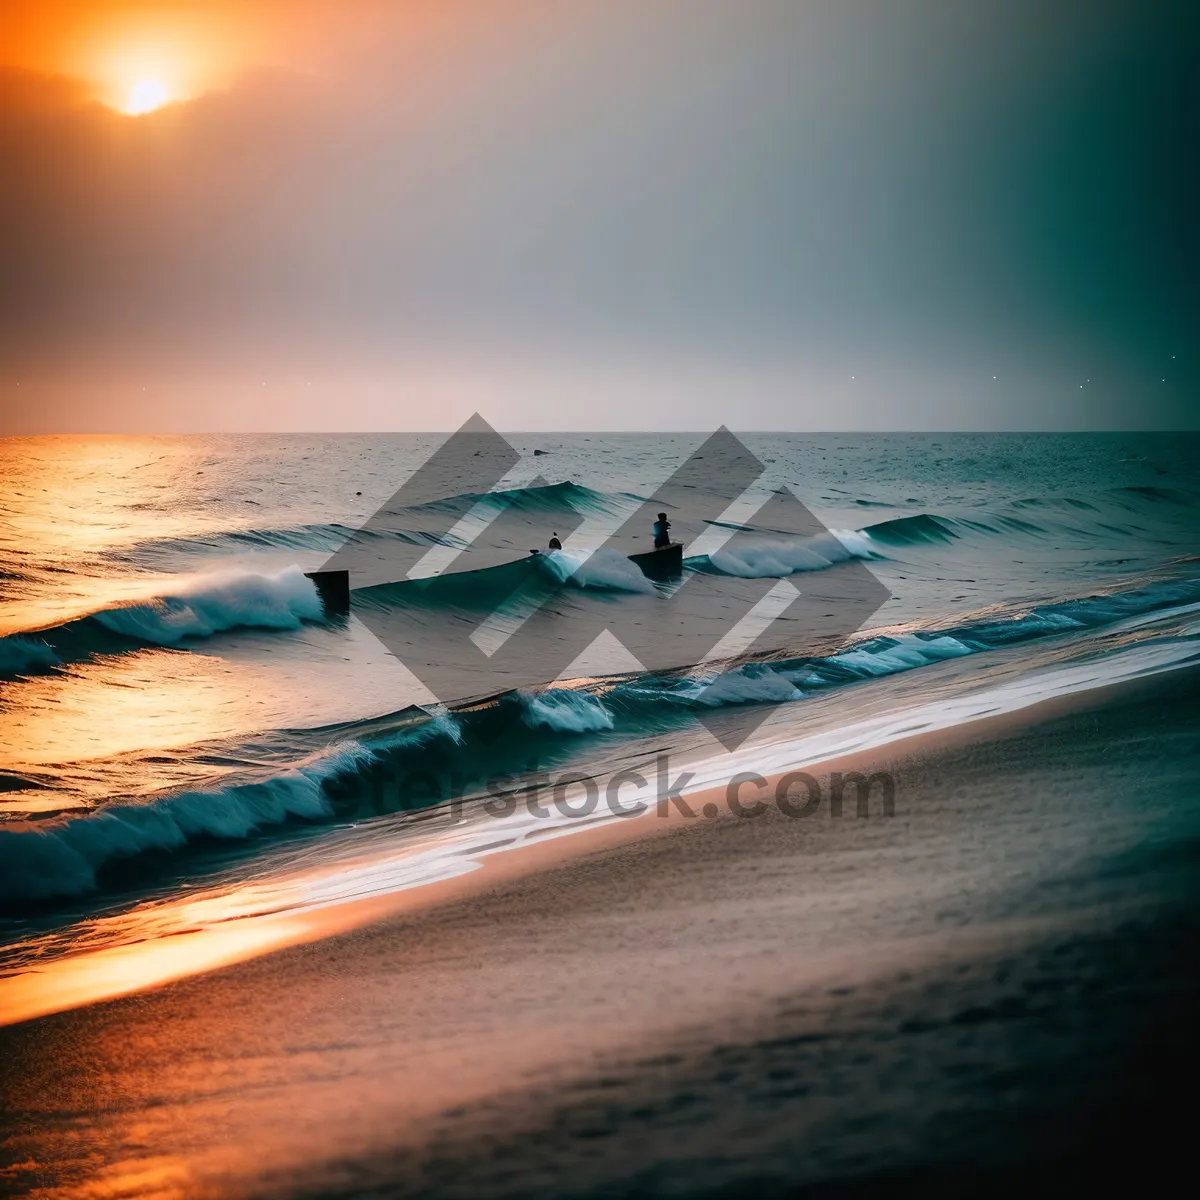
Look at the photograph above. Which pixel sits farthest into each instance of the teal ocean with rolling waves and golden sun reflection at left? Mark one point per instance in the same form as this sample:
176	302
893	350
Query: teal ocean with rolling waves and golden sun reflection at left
188	742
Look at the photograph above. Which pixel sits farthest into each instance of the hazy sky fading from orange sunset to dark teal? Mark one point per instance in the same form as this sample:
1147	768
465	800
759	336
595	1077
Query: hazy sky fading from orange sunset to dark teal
581	214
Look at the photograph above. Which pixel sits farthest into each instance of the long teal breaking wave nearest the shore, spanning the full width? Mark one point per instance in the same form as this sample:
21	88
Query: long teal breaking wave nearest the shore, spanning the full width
357	770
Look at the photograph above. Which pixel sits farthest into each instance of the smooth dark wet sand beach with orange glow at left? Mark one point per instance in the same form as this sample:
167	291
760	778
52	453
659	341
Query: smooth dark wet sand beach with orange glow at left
975	993
